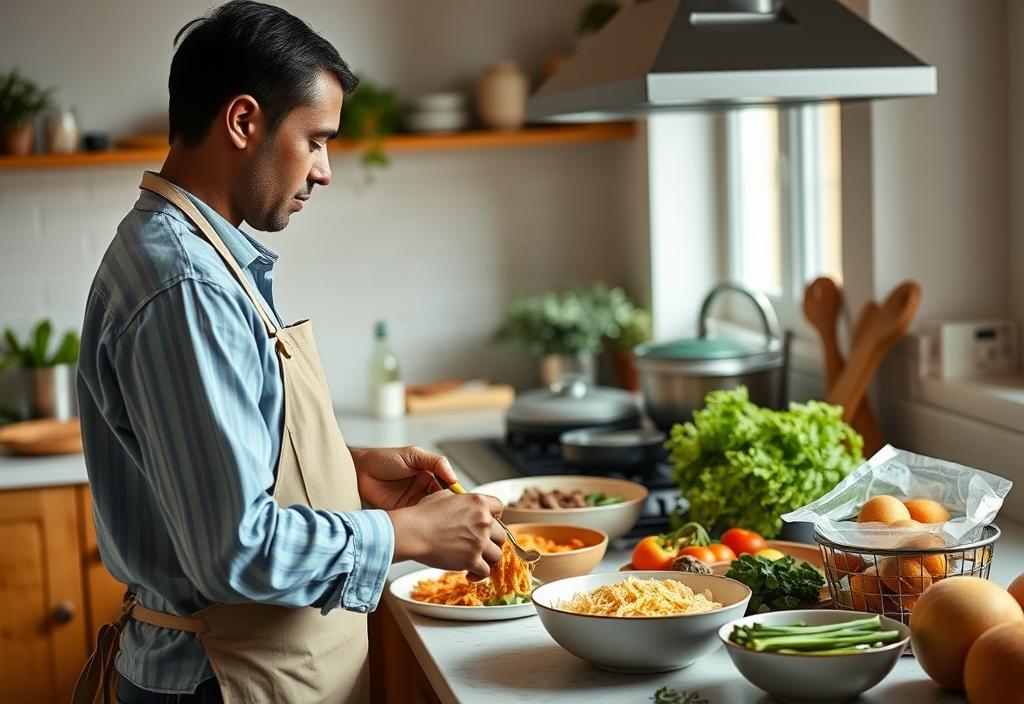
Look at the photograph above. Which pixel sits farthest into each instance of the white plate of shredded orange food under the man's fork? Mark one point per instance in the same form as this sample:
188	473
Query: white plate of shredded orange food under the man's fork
439	594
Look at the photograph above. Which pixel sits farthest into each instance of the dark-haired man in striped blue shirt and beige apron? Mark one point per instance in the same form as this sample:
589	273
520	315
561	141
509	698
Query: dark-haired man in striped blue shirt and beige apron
224	494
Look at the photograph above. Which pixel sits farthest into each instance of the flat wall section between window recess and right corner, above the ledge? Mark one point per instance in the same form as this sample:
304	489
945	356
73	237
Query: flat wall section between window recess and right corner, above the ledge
941	168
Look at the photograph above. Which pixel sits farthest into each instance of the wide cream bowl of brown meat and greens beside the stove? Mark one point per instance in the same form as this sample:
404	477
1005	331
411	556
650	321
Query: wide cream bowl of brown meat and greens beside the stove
611	506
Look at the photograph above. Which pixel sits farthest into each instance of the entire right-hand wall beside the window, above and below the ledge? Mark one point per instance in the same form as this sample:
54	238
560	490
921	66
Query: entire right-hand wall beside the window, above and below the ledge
931	194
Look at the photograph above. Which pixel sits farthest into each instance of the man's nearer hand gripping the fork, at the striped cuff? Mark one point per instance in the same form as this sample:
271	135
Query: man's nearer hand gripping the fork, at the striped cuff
451	533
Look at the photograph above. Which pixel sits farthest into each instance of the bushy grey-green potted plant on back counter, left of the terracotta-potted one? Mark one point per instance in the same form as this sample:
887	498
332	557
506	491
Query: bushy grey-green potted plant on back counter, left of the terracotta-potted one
566	330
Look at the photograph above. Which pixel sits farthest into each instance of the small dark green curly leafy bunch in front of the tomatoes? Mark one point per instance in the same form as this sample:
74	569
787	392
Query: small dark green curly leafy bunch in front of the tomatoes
778	585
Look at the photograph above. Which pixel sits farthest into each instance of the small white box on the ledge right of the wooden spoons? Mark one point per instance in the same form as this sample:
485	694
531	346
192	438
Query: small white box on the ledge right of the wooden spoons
963	349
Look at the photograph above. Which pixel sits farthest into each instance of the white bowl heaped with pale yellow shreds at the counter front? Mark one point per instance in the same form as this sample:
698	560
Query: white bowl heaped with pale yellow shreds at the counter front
641	622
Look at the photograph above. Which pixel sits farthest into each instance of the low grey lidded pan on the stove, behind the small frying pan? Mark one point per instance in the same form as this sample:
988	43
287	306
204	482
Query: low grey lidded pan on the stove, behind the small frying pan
543	415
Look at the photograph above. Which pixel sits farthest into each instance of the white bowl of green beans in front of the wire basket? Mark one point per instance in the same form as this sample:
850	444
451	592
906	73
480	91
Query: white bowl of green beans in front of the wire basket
823	656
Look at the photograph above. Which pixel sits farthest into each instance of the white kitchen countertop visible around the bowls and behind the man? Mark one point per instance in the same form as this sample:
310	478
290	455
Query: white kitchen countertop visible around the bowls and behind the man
518	662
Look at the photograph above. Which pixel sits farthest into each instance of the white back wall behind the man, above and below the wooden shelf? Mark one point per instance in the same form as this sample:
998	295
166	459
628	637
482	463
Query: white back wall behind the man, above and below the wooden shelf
437	246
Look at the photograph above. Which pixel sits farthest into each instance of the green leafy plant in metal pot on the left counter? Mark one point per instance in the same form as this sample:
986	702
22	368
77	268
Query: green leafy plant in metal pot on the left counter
50	379
